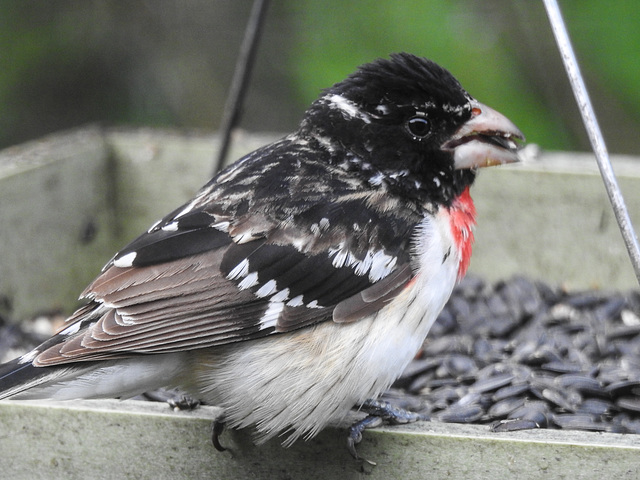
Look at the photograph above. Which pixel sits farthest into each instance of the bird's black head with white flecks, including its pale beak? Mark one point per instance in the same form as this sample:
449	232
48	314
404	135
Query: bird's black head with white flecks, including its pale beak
407	125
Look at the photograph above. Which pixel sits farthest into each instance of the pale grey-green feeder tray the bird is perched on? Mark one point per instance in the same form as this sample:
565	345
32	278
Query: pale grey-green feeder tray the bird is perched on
69	201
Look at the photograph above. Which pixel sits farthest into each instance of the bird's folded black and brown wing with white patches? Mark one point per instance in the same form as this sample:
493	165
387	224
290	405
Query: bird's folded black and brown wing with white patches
231	266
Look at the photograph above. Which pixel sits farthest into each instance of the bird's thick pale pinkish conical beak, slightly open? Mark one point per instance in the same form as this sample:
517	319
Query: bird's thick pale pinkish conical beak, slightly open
488	138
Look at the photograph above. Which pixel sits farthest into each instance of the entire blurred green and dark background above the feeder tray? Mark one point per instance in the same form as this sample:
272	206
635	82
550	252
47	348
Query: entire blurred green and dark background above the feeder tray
169	63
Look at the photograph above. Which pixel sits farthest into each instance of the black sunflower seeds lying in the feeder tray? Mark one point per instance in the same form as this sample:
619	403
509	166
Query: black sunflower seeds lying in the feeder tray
516	354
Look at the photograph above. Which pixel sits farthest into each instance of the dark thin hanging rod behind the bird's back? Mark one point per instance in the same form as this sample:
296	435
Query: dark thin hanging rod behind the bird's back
238	88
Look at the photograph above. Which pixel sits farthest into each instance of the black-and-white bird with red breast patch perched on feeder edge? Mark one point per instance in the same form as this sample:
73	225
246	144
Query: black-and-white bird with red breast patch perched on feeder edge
300	281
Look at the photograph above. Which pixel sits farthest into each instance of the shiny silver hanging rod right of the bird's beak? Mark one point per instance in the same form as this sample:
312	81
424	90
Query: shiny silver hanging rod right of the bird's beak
595	134
